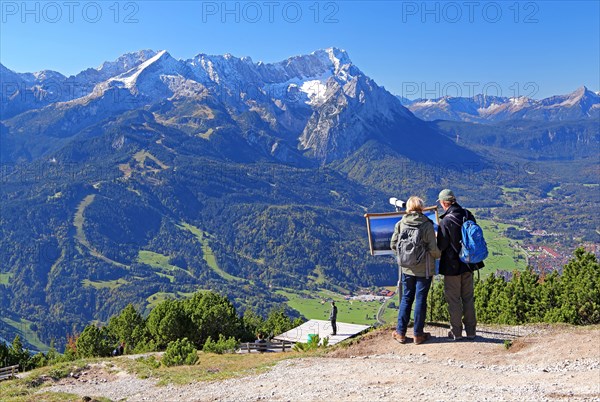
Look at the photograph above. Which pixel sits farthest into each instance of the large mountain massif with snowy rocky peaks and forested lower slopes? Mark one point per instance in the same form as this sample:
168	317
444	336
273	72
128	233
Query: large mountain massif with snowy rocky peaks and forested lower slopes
150	177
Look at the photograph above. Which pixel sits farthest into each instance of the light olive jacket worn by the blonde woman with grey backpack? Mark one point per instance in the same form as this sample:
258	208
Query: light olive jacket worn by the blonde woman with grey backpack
427	234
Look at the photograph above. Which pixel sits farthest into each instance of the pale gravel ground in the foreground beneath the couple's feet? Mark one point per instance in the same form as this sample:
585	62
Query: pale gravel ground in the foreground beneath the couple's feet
547	363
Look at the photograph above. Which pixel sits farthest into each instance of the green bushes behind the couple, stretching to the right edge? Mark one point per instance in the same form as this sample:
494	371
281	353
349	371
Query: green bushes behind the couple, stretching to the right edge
572	298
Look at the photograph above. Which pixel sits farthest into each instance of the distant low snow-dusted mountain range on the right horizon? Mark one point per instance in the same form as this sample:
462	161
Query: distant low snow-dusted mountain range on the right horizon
579	105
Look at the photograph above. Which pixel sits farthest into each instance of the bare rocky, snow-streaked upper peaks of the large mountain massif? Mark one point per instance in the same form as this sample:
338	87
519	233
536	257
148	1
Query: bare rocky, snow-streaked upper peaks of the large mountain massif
318	107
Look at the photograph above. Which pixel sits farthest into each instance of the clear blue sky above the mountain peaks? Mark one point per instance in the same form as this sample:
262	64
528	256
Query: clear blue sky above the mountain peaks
413	48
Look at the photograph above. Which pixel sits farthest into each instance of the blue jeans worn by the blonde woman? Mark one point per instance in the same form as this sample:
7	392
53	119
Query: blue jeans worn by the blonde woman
413	287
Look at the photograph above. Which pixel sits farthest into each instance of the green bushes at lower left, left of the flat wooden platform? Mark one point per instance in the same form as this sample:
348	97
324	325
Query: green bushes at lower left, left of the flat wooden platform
206	321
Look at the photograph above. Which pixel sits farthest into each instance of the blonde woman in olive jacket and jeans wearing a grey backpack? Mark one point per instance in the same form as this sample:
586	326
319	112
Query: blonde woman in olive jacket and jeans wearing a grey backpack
415	245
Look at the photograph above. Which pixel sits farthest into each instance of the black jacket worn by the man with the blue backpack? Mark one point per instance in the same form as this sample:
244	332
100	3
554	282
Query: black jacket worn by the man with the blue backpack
449	238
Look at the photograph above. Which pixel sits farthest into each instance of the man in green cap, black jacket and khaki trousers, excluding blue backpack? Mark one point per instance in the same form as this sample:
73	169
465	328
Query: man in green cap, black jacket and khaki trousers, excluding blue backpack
458	276
